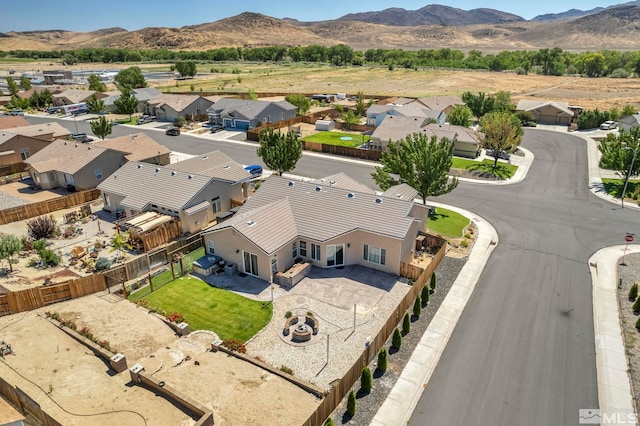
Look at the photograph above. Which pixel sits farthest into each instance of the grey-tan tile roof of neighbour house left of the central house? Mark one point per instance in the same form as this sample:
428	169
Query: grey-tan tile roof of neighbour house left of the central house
143	183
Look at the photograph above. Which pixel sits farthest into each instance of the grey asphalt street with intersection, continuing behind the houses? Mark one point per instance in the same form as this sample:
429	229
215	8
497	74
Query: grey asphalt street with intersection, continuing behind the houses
523	352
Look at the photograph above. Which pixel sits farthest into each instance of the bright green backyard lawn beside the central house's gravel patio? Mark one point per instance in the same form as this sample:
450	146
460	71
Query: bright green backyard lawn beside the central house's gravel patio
207	308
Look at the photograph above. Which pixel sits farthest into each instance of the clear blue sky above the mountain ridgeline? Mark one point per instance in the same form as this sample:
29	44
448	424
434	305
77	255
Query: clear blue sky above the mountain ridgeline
89	15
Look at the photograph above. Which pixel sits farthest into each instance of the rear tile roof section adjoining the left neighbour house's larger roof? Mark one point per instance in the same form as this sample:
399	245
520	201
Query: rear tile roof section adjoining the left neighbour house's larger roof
214	164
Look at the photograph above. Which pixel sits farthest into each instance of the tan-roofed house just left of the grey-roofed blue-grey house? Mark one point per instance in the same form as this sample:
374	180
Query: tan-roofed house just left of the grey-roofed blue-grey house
168	107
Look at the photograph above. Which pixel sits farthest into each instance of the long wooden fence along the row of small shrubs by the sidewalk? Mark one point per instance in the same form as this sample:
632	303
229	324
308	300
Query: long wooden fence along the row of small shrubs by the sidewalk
341	388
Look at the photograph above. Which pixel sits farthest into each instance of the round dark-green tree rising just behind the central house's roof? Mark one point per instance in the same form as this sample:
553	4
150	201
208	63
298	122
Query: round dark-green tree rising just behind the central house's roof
280	152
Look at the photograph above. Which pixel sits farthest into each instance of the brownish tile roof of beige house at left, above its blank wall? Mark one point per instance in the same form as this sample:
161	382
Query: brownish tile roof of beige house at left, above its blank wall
64	156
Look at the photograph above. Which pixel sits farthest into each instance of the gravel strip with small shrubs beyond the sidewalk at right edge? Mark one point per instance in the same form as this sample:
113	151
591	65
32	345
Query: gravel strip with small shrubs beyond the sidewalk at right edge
629	275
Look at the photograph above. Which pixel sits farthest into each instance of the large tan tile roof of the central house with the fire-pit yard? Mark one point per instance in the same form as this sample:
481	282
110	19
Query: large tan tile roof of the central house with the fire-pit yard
317	212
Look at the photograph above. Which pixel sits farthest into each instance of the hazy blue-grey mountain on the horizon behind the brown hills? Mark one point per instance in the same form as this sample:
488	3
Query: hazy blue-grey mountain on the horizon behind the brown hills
433	14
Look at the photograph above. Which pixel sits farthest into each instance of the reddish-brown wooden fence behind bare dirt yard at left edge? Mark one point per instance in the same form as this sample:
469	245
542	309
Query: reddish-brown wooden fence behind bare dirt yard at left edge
33	298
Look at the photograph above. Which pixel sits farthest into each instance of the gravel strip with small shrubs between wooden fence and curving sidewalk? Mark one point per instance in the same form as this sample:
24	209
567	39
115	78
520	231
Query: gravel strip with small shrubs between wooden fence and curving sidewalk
367	405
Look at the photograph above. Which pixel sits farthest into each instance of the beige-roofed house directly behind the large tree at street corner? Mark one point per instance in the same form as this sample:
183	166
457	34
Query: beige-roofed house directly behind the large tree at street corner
395	128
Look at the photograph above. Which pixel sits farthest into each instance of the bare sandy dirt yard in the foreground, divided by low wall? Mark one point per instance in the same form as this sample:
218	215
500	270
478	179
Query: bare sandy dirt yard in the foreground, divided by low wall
50	366
